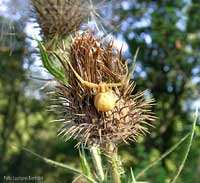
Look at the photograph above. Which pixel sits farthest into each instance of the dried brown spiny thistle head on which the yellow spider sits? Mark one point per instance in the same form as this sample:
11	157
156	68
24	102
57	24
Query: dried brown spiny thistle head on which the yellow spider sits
94	62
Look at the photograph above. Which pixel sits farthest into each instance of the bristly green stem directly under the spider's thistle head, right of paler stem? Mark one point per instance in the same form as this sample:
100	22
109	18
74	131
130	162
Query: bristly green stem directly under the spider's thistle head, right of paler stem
114	163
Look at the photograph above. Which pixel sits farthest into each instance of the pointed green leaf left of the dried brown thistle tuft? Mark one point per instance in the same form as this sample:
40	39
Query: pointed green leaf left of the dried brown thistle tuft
58	73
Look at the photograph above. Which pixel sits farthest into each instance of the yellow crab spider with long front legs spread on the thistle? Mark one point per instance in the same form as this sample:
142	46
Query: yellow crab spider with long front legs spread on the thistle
105	99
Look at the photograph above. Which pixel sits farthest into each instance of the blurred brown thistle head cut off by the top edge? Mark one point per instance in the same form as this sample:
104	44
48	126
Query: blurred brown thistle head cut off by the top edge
61	17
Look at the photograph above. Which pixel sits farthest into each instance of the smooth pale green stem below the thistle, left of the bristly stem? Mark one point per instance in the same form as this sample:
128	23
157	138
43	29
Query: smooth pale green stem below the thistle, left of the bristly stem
96	158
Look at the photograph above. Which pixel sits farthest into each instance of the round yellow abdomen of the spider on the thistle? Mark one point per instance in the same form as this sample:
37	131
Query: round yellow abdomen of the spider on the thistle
105	101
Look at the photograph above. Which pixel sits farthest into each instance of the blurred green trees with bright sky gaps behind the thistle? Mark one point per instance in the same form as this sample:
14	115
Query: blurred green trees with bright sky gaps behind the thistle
168	65
